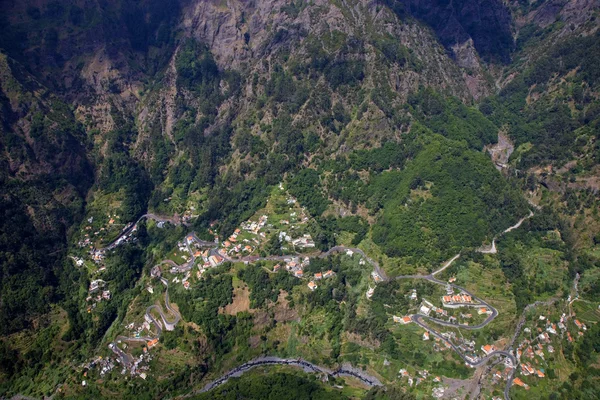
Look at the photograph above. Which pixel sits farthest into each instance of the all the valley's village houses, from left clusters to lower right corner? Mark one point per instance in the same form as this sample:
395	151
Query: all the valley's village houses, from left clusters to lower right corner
284	222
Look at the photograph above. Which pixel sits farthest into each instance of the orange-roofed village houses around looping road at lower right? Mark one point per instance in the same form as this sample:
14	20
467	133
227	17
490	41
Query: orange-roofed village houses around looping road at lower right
539	339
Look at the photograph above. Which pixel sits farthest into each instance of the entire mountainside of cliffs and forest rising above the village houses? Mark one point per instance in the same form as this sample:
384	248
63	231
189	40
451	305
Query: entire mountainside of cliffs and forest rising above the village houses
379	110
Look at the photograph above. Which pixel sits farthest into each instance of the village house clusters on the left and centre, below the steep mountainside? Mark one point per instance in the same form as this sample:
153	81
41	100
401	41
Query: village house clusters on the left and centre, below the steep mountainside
186	264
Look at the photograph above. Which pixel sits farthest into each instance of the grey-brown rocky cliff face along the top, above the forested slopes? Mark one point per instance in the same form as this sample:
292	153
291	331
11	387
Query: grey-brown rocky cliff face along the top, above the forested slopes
115	61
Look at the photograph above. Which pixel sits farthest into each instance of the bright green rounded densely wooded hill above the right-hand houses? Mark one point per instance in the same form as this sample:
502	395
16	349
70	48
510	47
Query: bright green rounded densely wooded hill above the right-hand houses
446	199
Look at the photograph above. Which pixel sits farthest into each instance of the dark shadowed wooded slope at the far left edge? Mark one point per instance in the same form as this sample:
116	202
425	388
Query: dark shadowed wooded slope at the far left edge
45	175
